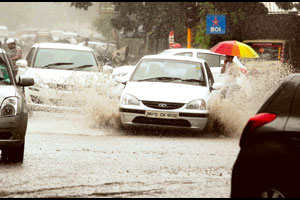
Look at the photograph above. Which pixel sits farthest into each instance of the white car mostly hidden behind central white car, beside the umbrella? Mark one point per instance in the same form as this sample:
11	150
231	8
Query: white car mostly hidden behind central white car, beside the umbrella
214	60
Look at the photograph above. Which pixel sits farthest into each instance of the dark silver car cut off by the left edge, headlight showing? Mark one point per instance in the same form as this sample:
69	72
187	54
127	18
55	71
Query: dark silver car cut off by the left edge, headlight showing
14	114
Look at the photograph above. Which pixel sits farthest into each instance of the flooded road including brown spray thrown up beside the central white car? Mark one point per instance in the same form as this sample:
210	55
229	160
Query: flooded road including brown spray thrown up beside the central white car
89	155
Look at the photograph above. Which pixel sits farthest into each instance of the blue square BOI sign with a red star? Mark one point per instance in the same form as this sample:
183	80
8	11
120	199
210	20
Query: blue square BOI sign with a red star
215	24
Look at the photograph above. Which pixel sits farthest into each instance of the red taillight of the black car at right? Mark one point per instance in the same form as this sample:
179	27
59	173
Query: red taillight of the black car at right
259	120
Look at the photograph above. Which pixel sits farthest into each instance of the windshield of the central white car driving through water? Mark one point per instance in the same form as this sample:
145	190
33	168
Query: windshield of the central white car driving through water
166	70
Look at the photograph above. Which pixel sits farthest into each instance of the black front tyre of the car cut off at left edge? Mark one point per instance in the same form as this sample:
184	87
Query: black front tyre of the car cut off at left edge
13	154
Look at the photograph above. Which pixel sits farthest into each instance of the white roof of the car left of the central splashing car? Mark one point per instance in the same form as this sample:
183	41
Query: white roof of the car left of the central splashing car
62	46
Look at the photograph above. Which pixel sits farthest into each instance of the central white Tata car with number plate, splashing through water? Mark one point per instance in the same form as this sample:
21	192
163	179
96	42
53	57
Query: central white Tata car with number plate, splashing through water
168	91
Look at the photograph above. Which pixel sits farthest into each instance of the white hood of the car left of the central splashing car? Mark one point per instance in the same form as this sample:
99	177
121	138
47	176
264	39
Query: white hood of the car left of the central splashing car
68	77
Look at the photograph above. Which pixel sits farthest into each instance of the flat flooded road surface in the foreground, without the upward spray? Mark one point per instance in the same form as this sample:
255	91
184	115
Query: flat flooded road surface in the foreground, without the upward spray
64	157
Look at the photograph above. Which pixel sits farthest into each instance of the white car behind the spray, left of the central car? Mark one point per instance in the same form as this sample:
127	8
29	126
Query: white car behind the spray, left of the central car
64	75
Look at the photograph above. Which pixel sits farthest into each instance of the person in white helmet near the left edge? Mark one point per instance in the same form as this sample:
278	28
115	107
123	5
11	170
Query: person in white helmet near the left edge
14	52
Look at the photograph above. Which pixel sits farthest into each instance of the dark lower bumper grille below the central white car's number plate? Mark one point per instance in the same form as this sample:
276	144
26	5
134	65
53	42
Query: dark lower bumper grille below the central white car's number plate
162	122
